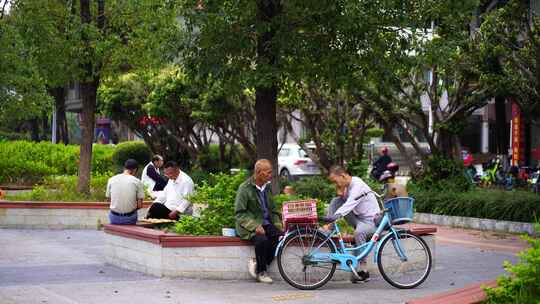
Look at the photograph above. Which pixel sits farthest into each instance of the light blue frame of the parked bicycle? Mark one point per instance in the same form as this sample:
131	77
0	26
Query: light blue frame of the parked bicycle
350	261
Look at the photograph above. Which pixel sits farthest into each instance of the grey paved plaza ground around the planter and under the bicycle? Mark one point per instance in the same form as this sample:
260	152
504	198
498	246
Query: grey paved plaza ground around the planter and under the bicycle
66	267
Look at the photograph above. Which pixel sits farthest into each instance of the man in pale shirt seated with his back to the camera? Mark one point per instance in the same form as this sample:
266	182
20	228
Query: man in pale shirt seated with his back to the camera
126	193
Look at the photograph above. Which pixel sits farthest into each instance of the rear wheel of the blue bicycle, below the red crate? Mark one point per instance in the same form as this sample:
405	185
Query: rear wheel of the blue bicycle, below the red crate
295	263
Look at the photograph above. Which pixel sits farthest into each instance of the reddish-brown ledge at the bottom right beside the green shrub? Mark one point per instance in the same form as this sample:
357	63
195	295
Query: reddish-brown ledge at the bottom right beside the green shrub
472	294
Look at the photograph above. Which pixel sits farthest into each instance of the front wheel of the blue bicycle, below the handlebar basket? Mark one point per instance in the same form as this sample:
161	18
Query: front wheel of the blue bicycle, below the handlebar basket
404	273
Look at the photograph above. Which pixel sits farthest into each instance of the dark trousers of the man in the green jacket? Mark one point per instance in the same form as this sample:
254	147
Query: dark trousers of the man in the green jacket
265	246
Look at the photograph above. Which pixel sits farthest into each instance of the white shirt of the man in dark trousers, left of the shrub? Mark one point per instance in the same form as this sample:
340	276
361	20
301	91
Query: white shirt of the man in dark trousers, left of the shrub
175	193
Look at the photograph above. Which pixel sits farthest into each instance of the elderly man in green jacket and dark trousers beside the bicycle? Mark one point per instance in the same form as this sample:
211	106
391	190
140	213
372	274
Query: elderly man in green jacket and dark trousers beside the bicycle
257	219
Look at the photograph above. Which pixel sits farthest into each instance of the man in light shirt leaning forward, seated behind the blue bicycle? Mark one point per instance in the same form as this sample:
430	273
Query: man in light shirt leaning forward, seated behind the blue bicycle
358	205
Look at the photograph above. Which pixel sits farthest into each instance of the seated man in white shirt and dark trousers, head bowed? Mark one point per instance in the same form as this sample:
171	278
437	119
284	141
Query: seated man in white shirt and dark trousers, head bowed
172	202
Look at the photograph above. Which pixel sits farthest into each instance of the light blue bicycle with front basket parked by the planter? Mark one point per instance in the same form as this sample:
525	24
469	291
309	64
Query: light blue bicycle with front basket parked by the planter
308	257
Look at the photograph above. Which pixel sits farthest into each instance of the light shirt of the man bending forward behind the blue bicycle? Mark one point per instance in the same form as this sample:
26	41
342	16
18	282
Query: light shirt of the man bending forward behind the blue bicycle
364	207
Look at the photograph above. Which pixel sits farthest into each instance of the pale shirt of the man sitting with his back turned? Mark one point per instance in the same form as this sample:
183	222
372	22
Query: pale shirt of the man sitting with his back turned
124	190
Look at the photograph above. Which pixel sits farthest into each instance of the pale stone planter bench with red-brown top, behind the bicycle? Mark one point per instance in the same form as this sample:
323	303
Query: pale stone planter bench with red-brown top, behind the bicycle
204	257
